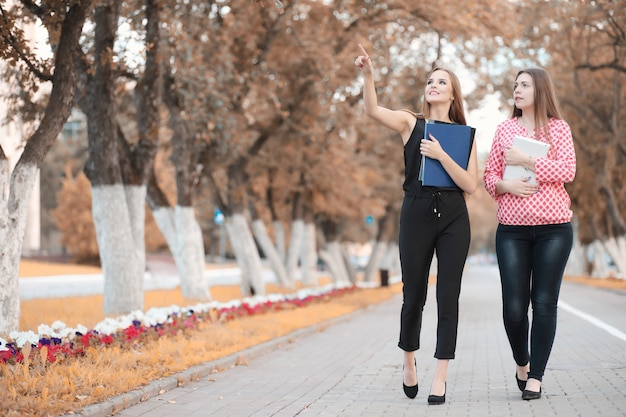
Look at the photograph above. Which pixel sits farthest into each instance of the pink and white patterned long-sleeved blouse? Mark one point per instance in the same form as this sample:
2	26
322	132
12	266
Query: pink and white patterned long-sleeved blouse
551	204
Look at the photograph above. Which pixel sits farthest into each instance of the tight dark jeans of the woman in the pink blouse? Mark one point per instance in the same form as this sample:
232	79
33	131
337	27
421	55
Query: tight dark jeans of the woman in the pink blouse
532	261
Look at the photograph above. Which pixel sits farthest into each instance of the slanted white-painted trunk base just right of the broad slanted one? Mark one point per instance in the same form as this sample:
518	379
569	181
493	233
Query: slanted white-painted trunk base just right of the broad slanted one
246	254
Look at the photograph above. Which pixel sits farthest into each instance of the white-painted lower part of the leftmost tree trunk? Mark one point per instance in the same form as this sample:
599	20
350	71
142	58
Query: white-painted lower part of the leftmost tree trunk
15	191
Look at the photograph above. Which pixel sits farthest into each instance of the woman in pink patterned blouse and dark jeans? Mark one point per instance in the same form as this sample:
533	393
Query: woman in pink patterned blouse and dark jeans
534	236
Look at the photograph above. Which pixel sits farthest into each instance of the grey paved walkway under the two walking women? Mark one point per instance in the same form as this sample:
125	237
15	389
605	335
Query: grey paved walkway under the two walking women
352	367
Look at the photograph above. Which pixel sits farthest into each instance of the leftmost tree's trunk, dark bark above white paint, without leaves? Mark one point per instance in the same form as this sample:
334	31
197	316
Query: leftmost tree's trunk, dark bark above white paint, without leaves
13	206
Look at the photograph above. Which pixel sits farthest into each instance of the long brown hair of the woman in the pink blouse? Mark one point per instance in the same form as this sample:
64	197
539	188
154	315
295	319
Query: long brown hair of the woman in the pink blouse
546	101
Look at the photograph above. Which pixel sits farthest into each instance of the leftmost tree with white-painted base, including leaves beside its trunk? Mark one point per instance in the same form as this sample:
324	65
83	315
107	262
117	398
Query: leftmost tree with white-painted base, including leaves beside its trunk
64	22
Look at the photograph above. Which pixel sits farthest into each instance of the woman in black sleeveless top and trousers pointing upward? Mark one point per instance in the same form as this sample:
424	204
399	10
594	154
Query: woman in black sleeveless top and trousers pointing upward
433	220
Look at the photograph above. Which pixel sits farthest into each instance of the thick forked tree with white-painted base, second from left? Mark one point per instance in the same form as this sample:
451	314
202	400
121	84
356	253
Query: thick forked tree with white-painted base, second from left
118	165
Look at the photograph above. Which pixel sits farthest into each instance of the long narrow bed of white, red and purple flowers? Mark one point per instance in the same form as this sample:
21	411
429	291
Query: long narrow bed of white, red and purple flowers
59	342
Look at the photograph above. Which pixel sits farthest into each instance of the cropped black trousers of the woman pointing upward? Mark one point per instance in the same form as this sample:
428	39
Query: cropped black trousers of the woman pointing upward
434	223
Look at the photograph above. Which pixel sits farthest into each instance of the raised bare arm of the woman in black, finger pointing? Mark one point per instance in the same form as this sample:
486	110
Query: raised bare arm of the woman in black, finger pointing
397	120
